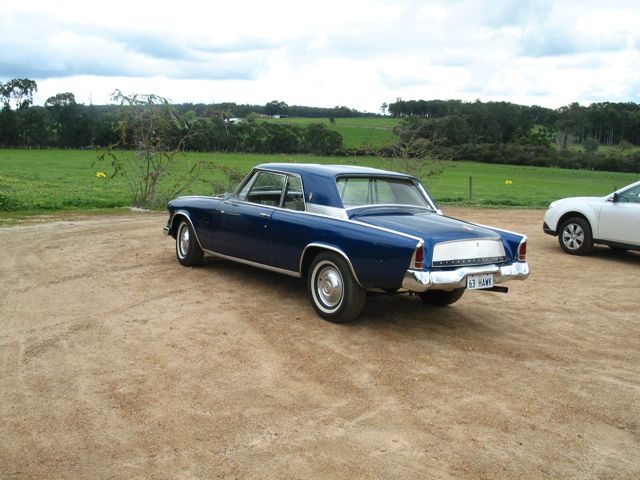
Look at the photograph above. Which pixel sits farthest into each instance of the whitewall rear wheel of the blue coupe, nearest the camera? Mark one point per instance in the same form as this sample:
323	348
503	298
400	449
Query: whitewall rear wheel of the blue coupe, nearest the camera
333	290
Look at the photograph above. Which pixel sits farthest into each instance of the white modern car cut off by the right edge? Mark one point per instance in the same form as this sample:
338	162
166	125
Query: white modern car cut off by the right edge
580	222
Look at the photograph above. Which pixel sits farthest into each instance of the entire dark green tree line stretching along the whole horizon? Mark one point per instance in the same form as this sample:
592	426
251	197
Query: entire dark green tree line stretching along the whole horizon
495	132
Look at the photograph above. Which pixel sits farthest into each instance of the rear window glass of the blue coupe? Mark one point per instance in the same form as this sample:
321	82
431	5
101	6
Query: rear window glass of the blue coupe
360	191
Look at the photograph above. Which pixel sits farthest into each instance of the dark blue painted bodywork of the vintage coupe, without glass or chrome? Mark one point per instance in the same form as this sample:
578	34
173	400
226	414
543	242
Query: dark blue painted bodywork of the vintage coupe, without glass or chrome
378	241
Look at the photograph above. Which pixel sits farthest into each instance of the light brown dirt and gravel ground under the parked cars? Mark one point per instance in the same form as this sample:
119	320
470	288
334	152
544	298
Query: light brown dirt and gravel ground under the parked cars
116	362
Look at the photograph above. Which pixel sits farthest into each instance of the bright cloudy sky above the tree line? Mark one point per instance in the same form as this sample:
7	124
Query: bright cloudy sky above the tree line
357	53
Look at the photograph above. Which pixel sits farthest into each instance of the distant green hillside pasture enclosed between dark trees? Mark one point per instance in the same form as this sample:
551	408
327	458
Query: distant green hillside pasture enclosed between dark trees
357	132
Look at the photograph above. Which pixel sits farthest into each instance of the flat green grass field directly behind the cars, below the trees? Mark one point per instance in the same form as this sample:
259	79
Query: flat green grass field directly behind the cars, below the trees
39	181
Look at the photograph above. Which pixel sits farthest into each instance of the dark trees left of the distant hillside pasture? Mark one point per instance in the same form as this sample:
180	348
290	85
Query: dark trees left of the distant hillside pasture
64	123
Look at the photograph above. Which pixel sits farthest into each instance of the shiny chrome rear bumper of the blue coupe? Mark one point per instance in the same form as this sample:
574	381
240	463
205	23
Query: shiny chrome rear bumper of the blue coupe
420	281
